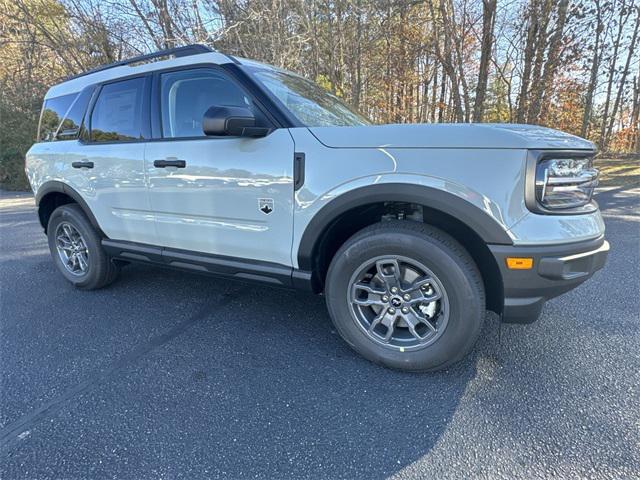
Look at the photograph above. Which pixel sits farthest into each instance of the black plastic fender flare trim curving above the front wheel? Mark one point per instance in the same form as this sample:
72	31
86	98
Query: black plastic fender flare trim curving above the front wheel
486	227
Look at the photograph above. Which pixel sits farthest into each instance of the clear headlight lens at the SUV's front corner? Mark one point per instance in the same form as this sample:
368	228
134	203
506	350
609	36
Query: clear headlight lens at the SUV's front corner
563	183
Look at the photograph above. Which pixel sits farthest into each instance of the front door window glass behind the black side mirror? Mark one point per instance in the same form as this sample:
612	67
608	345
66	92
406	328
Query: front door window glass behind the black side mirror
187	94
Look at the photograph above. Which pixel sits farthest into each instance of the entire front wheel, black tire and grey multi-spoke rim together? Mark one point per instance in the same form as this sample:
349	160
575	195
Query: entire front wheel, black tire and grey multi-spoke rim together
406	295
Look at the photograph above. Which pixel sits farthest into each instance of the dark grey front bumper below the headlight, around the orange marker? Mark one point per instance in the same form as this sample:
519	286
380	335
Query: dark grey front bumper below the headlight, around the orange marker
556	270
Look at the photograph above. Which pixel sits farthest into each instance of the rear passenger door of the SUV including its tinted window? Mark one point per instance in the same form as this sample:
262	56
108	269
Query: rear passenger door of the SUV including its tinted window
109	160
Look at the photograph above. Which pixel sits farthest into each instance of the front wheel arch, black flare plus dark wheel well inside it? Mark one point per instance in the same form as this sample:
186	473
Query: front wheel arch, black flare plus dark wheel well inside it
358	208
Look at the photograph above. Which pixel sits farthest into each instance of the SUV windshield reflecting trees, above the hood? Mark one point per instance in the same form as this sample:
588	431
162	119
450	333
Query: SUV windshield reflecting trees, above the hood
310	104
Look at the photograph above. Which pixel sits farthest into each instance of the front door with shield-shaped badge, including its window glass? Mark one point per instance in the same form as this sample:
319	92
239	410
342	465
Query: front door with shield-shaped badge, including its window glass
227	196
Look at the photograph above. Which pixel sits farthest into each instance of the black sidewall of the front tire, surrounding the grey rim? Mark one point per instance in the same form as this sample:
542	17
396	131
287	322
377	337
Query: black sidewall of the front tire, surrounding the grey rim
465	305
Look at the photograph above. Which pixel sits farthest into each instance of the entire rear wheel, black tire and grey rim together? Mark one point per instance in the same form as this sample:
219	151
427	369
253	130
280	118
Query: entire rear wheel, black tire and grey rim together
77	251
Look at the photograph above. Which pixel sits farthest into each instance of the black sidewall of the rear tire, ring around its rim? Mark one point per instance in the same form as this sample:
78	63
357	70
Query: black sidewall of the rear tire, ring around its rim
72	215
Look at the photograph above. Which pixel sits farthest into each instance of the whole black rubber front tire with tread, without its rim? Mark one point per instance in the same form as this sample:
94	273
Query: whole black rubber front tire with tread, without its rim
445	258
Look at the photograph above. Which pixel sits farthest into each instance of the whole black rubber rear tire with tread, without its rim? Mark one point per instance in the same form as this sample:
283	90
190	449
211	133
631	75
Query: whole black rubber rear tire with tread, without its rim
101	271
